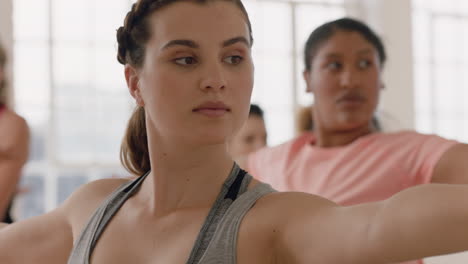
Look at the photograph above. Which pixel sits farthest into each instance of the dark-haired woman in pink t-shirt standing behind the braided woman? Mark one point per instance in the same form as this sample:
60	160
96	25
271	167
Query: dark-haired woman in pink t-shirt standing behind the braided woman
346	159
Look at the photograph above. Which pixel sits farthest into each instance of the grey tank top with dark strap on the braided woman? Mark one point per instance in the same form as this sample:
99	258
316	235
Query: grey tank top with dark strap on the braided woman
217	239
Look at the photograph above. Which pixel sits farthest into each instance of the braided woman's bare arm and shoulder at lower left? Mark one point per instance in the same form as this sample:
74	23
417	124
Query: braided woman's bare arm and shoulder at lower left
49	238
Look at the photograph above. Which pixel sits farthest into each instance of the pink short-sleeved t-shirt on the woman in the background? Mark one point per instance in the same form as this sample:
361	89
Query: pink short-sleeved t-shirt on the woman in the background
372	168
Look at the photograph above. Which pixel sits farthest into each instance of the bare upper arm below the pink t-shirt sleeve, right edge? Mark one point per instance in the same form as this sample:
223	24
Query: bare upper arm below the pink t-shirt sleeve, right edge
452	168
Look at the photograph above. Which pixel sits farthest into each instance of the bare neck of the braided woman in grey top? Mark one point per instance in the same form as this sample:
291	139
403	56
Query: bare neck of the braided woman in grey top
185	177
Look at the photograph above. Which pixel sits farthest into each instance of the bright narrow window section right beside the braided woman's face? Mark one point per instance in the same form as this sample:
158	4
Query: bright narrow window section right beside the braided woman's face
273	58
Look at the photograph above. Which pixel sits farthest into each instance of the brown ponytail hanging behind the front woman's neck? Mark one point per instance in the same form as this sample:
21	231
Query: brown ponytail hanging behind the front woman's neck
134	153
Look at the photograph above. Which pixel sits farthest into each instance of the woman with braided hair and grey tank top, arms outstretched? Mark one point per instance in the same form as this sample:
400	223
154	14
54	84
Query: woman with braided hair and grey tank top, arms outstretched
188	66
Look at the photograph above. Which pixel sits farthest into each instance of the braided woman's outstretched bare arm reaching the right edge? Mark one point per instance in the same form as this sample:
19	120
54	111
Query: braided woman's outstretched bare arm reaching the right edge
419	222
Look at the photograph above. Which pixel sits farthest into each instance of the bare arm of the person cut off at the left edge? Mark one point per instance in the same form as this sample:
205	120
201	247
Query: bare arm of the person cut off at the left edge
14	152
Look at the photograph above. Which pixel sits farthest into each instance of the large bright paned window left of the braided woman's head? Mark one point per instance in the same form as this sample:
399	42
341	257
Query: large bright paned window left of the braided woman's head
65	67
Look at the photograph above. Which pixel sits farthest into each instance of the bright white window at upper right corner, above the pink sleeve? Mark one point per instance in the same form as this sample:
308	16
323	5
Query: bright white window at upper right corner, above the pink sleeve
440	30
